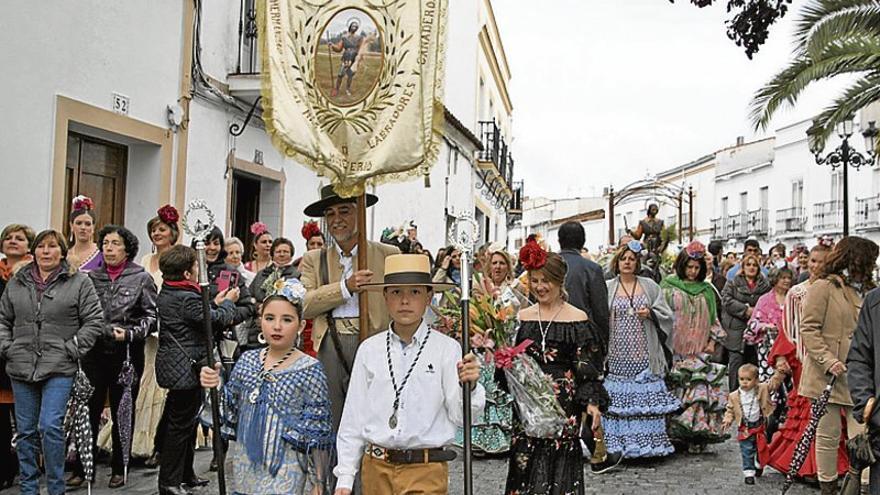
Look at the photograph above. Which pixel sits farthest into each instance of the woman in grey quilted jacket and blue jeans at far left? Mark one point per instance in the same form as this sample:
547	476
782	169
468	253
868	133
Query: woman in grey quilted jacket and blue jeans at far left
50	316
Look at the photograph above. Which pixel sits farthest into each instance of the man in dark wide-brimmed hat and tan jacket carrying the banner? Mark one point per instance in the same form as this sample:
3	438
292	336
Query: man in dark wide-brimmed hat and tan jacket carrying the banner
332	301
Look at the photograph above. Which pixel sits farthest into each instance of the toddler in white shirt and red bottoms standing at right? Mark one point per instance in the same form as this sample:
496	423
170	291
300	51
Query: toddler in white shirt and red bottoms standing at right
749	407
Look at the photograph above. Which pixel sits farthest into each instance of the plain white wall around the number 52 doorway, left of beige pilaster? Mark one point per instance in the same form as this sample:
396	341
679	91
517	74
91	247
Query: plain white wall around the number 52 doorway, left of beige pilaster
85	50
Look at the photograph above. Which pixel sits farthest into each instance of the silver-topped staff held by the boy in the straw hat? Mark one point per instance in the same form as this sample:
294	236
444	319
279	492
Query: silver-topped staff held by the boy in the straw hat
463	237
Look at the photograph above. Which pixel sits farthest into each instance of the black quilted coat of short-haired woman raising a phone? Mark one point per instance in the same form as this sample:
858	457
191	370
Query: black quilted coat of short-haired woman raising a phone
182	341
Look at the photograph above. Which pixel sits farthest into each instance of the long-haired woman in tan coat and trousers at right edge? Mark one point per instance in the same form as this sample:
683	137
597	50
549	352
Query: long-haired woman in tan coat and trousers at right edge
829	321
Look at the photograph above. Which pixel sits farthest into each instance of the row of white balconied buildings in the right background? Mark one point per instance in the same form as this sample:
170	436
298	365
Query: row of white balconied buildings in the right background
771	190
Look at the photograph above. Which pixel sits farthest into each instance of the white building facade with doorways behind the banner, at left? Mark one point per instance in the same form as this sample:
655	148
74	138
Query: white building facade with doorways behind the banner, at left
135	104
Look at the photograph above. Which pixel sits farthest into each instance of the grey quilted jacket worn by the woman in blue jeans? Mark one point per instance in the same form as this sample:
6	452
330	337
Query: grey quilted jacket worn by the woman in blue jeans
43	338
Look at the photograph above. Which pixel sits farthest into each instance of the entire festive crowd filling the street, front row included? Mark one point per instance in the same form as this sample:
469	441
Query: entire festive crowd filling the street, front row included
645	359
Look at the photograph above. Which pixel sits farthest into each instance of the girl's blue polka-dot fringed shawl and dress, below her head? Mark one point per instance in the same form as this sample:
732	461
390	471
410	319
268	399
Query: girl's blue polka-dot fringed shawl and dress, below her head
281	427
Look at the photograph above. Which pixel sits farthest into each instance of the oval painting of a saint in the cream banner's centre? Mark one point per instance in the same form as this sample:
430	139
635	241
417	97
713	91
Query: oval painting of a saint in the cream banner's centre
349	57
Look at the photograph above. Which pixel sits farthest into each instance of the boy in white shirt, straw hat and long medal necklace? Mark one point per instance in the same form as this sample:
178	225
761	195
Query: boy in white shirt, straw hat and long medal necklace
404	400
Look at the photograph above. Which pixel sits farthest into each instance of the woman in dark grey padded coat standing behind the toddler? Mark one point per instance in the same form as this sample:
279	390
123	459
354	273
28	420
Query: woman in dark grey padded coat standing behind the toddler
738	301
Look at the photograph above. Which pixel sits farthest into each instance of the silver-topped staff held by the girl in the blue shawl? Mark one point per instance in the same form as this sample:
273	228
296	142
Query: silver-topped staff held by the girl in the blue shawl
198	221
